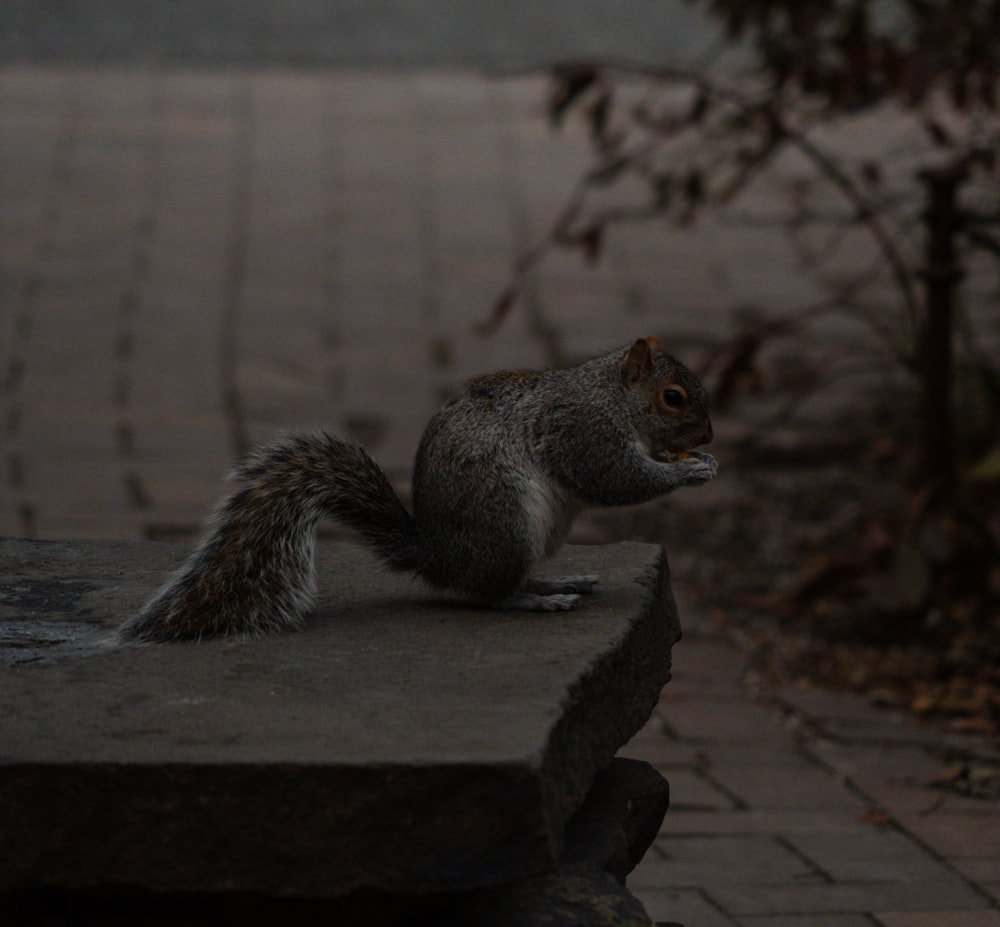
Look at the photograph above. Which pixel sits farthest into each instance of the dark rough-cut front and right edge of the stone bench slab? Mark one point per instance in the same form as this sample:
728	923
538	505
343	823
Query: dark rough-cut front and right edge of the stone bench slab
148	840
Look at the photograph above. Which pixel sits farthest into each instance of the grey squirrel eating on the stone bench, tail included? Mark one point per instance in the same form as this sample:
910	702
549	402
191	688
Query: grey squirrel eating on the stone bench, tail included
501	471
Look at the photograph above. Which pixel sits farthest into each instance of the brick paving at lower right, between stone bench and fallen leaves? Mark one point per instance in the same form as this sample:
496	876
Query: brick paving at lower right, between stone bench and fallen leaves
806	808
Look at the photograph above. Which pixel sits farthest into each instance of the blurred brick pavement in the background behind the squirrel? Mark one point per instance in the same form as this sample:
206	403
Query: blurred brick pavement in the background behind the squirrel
194	260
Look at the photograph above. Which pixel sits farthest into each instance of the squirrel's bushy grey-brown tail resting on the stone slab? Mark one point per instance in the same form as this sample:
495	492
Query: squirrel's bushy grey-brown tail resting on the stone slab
253	571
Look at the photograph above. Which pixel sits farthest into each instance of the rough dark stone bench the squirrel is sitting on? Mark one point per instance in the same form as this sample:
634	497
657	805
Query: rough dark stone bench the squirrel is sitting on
404	752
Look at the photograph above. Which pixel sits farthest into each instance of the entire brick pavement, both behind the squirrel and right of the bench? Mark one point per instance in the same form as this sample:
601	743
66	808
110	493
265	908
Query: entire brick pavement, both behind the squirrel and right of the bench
192	260
